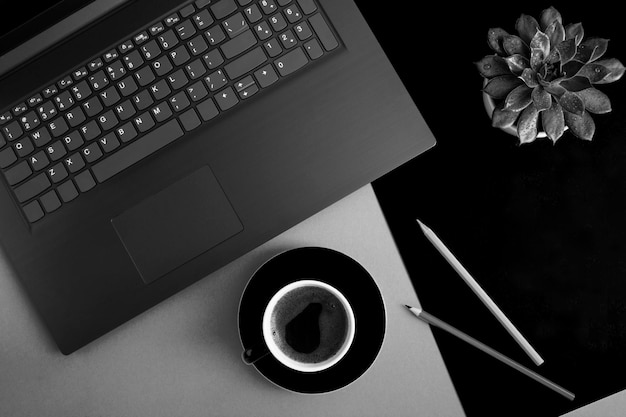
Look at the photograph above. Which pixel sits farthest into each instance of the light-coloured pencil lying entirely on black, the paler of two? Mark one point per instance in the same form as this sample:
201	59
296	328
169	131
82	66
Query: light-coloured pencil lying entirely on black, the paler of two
482	295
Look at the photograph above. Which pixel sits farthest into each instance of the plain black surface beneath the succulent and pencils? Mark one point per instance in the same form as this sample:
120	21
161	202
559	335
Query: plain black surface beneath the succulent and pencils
540	226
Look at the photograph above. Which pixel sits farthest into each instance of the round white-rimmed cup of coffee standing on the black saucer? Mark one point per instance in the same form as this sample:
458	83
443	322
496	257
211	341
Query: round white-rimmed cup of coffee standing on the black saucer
335	338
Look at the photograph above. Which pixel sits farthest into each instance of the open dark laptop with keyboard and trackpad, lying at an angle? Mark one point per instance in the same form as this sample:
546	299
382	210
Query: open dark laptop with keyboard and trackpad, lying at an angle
145	144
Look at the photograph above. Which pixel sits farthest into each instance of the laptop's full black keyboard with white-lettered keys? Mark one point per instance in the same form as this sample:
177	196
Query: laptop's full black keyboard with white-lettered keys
149	90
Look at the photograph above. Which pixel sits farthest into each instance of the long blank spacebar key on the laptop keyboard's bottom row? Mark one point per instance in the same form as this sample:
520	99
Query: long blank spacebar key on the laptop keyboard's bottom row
137	150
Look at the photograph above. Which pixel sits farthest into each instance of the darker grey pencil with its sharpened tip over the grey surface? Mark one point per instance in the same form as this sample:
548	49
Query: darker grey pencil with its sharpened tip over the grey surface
434	321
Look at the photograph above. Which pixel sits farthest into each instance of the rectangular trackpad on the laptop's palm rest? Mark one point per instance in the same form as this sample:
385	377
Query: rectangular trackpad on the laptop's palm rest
177	224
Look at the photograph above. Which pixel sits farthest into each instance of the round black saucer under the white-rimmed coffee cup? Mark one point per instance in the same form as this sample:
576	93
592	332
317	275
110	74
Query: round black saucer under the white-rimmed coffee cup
338	270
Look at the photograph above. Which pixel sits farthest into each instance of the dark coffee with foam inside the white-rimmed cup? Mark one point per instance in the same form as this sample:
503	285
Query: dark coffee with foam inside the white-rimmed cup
309	324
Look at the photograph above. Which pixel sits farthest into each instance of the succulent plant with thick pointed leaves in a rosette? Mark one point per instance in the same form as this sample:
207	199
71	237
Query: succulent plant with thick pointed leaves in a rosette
545	77
